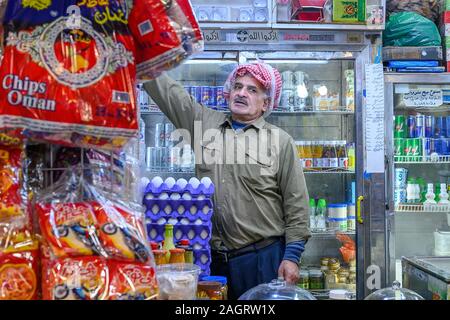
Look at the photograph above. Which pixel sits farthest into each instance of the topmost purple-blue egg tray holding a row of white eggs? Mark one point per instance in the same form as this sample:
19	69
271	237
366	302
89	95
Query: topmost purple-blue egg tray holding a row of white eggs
195	187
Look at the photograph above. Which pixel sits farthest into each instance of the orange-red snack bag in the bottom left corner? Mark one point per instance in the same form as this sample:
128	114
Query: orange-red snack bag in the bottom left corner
19	273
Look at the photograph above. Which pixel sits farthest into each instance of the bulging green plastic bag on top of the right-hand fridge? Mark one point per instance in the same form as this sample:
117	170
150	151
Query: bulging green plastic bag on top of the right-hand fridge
409	29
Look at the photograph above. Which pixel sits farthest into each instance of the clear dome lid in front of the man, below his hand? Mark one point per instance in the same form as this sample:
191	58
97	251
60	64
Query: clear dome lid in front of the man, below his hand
277	290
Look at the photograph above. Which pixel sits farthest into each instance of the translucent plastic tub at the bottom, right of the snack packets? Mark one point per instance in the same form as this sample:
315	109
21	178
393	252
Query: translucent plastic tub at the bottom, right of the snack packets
177	281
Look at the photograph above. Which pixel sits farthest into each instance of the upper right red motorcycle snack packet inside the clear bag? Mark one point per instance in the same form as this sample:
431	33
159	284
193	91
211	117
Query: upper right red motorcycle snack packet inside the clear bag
121	234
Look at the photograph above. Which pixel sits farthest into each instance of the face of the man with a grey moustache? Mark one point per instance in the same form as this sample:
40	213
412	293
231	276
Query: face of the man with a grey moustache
248	99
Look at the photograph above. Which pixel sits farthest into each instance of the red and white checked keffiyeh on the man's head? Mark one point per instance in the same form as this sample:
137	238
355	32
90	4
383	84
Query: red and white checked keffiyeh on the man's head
265	74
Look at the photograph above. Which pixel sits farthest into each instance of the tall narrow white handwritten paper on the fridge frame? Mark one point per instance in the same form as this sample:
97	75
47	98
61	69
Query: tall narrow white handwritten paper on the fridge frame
374	118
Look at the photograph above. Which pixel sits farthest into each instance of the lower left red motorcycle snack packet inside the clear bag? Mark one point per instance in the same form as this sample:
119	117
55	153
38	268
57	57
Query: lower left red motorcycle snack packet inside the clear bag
82	278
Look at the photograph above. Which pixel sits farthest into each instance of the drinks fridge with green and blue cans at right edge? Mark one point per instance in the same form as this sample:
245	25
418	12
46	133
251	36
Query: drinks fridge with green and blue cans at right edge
418	150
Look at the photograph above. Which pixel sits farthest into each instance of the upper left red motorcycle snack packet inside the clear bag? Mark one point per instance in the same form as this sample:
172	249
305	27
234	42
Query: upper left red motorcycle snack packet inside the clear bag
70	229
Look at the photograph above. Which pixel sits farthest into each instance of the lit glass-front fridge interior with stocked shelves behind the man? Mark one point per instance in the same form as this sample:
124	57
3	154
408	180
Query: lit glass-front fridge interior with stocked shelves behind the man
318	109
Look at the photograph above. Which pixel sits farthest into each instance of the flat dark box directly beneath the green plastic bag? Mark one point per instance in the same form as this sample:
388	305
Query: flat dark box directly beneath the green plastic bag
412	53
